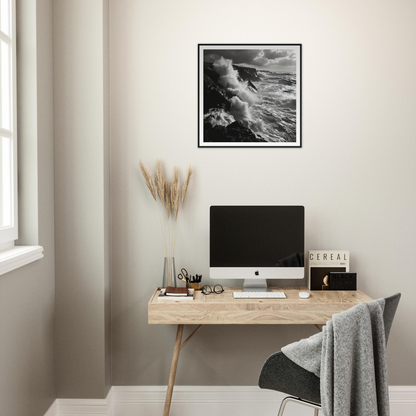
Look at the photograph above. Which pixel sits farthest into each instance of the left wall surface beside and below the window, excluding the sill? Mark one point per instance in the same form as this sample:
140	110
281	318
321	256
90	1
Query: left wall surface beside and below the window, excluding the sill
27	295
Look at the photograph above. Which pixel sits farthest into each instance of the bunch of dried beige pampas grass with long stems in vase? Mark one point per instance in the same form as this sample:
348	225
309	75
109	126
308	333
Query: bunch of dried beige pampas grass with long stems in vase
170	200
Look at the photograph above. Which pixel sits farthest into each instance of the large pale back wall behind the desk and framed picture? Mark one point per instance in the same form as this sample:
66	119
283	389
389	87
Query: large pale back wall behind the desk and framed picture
355	173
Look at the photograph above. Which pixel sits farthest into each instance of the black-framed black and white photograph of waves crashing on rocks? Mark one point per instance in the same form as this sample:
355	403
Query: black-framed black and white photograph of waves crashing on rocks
249	95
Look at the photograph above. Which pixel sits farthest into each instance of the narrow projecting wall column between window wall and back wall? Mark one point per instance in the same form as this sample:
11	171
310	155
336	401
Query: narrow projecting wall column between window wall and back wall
82	198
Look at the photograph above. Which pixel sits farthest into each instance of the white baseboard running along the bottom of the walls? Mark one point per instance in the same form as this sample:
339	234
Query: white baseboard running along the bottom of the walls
204	401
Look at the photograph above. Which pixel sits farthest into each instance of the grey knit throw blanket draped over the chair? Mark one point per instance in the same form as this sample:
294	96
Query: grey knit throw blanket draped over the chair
349	356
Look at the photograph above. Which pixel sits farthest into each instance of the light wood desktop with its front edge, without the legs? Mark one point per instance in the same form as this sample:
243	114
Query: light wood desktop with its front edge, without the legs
218	309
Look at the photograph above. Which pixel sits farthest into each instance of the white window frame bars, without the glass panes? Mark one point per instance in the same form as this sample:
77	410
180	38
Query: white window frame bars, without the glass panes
9	233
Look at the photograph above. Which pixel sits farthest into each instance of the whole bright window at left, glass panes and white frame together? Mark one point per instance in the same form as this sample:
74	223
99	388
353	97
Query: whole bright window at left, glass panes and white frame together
8	146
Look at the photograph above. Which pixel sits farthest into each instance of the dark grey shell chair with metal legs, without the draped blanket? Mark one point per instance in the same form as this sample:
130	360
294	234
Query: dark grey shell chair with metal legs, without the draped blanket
281	374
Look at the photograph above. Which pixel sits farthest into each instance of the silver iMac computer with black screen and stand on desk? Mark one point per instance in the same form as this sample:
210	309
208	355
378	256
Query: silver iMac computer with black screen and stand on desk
256	243
